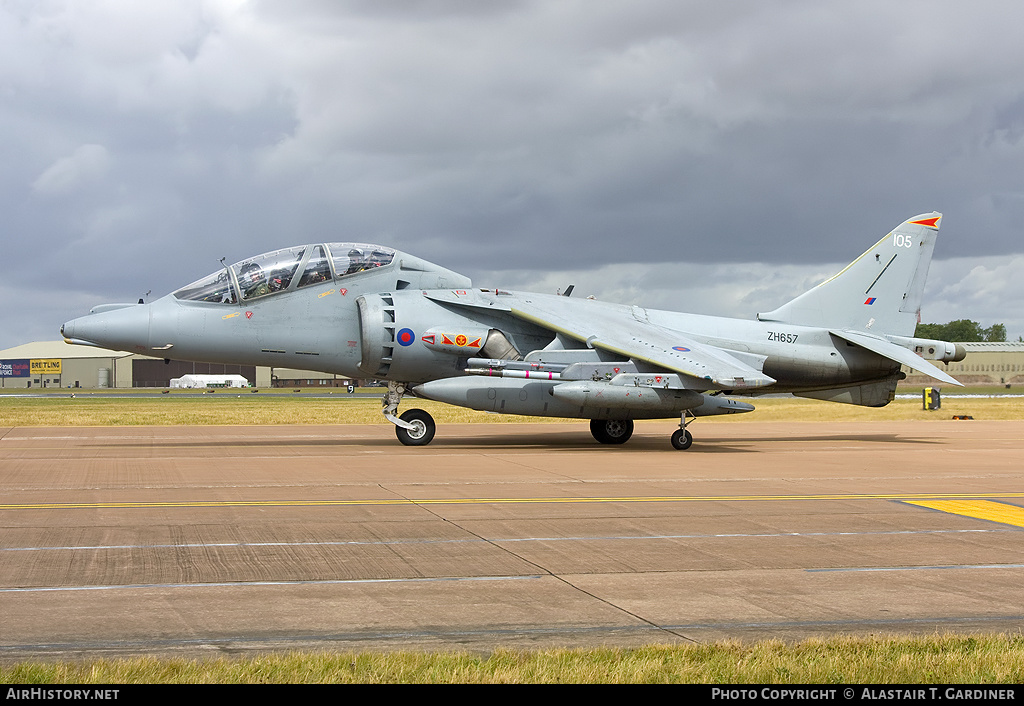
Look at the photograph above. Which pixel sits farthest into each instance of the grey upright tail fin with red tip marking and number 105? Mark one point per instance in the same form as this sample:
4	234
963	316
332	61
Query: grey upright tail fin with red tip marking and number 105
880	292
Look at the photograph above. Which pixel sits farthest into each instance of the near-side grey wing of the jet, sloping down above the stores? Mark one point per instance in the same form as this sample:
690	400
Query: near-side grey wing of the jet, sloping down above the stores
619	333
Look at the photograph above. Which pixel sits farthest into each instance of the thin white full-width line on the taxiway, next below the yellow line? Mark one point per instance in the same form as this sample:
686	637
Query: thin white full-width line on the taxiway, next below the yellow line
496	541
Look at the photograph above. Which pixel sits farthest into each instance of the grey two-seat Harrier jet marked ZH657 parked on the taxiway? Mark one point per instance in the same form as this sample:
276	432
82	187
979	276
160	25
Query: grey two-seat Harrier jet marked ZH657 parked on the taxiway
371	312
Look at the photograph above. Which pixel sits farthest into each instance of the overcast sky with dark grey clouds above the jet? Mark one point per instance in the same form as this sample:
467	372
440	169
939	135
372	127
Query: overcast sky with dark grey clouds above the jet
709	157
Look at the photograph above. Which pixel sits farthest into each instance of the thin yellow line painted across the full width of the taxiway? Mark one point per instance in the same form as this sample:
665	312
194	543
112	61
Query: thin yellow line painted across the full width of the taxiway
906	497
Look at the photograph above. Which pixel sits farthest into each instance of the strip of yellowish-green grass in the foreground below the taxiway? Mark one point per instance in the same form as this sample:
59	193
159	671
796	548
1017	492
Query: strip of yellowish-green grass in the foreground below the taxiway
940	659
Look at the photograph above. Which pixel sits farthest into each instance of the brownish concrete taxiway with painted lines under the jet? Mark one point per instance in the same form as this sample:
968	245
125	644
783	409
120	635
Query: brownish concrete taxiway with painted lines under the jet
214	541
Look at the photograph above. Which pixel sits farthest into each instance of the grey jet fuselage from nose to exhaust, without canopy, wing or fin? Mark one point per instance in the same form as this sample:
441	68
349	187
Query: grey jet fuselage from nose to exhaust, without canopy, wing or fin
401	336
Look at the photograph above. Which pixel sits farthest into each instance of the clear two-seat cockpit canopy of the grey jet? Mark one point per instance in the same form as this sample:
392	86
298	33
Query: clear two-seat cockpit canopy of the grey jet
286	270
